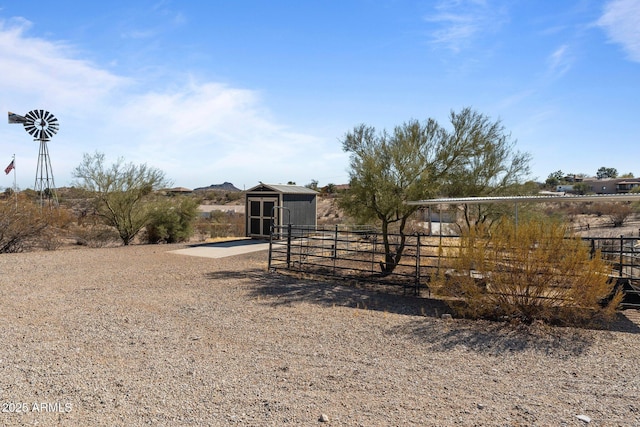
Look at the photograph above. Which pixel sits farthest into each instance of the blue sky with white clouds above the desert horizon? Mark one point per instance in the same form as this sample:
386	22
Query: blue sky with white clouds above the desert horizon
249	91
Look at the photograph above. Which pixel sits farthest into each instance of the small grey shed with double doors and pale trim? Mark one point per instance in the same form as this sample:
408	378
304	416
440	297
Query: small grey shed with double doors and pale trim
286	204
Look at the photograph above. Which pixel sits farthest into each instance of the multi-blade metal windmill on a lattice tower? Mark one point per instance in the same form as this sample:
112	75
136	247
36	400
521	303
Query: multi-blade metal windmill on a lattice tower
42	125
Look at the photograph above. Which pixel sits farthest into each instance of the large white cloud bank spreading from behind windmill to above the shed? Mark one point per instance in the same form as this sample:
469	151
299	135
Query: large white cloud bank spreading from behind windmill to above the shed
198	132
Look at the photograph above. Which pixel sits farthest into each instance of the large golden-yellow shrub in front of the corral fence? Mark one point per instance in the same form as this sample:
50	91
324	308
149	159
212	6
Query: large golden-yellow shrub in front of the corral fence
532	271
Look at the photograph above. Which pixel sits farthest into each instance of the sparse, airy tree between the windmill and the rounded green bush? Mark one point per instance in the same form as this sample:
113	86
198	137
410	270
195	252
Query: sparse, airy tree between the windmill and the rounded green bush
120	191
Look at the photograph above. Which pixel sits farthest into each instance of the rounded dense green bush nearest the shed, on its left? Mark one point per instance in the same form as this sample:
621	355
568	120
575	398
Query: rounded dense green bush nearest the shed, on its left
171	220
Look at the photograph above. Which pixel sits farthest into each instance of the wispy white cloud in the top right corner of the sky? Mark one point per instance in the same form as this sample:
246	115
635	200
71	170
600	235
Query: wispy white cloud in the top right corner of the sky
620	22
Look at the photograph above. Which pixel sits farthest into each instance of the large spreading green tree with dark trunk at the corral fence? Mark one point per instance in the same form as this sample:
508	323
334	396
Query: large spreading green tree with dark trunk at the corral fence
415	162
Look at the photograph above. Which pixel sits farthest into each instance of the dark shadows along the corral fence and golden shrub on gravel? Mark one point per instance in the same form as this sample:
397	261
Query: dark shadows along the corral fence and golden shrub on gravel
441	335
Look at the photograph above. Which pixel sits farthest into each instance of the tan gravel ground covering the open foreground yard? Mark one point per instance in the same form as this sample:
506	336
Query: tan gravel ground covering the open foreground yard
138	335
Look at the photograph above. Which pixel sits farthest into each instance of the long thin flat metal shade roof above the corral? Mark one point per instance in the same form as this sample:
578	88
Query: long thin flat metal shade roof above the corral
526	199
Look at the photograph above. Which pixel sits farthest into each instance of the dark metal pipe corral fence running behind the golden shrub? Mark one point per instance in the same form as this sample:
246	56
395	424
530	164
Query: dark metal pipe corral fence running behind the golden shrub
356	254
